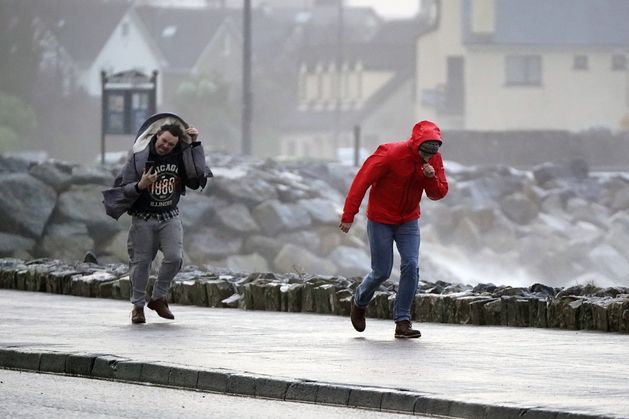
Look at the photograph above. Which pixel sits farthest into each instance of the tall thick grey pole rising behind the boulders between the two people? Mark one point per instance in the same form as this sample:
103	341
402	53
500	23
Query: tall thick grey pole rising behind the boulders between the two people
247	95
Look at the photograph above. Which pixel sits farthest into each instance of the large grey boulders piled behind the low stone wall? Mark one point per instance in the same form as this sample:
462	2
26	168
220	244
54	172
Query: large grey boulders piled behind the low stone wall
557	224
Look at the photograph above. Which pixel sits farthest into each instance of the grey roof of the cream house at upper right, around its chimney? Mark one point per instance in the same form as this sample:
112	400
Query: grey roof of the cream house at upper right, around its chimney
556	22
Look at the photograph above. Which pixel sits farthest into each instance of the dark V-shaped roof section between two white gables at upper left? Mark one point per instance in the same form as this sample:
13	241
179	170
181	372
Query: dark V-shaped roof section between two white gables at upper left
81	27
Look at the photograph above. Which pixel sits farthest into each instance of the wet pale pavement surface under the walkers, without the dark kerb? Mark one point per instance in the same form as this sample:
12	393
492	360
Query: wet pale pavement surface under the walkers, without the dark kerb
555	370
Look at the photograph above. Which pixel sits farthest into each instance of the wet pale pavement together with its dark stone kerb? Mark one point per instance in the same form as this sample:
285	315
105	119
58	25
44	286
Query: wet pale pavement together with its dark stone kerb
459	371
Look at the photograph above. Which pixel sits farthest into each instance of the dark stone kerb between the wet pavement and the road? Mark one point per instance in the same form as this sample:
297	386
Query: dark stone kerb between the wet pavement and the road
109	367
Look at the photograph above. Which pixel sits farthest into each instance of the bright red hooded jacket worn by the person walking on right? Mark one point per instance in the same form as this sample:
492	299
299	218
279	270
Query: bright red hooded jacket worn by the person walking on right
395	173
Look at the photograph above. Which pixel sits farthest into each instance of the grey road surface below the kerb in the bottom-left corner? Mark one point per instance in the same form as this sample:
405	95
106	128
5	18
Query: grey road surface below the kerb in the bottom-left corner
31	395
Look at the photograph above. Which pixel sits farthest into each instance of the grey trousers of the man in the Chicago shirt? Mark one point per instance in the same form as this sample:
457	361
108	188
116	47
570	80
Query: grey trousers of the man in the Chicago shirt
146	237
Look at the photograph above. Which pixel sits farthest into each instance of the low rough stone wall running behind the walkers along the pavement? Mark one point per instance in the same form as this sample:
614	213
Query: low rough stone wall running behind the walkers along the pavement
576	308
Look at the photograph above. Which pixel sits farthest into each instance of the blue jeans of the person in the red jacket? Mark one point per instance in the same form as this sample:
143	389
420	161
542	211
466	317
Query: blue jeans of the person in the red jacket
381	238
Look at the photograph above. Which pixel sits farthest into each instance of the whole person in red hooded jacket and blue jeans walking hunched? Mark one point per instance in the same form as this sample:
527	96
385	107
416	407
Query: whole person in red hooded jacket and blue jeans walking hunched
398	174
